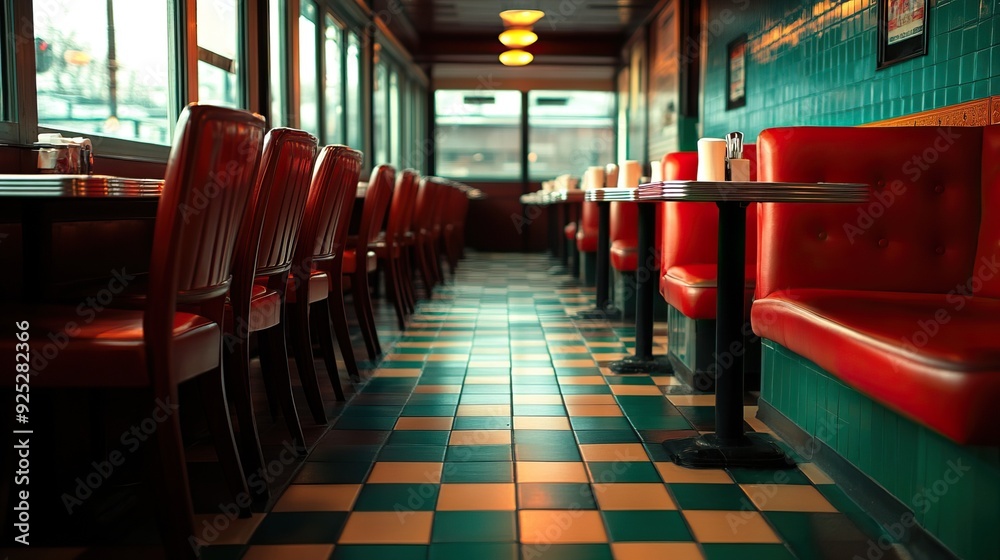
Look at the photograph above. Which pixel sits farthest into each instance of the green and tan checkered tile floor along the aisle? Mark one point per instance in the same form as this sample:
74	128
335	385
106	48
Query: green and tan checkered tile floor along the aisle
493	430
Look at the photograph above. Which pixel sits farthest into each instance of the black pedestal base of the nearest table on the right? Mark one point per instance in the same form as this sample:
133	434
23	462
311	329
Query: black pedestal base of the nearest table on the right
707	452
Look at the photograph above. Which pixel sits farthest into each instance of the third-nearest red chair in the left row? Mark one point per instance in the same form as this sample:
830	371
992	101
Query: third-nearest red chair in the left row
314	287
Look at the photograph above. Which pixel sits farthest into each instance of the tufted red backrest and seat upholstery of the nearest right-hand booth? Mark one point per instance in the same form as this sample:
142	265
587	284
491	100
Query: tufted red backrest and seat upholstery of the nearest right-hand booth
872	292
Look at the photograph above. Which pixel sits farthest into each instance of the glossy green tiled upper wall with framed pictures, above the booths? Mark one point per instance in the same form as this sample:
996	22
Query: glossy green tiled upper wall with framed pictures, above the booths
812	62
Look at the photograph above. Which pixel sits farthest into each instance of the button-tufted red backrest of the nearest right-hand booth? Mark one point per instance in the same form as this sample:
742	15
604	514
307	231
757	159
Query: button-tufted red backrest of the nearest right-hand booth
919	233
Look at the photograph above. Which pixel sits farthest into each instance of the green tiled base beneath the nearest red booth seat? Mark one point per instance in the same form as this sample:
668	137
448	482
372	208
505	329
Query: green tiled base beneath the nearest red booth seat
905	458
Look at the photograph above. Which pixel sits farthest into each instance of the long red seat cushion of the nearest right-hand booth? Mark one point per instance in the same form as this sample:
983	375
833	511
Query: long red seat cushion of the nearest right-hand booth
931	357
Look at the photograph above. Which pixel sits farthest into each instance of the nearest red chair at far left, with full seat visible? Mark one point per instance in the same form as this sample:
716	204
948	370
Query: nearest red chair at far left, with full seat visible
178	336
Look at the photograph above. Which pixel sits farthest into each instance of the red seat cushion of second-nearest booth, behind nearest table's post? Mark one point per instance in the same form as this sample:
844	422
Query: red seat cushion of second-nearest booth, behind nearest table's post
692	289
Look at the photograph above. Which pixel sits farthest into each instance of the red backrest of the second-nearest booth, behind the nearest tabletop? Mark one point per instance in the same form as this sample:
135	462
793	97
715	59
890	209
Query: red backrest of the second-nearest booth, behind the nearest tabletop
691	229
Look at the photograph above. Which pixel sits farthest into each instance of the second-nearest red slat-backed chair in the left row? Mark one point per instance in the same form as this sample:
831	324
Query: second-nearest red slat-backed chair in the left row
261	264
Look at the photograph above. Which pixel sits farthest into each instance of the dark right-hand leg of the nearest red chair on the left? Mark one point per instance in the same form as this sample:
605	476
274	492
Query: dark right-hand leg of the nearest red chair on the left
217	412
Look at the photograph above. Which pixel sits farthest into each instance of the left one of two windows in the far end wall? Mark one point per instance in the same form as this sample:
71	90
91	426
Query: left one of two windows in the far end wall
478	134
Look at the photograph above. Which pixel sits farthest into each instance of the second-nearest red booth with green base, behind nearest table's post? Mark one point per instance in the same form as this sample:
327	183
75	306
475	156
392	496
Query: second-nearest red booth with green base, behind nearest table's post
689	247
